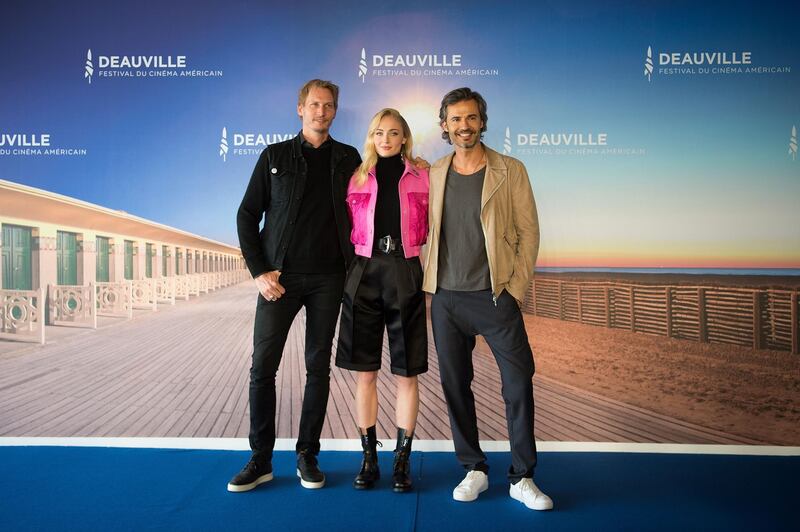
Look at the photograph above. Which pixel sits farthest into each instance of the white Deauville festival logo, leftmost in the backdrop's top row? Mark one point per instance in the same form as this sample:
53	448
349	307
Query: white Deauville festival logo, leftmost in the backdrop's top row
144	66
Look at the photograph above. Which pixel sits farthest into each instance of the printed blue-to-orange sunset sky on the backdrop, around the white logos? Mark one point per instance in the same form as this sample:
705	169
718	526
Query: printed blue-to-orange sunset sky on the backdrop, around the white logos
716	170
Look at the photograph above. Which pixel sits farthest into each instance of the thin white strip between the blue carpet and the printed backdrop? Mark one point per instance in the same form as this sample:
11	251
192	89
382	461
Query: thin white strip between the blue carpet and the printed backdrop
285	444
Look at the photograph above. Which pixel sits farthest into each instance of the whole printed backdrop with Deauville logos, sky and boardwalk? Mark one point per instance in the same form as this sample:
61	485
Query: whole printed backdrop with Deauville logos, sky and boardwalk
661	144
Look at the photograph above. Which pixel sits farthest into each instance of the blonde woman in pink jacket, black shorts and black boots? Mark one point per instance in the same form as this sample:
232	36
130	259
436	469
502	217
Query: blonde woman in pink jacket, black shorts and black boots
387	201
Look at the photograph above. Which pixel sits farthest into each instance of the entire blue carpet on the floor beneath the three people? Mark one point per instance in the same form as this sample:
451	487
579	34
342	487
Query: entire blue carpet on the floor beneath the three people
72	488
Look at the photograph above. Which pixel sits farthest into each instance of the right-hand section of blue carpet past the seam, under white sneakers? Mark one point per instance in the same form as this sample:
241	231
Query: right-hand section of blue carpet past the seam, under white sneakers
620	491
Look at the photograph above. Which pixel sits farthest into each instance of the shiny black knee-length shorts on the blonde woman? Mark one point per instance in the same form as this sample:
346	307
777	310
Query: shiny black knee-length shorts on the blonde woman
383	291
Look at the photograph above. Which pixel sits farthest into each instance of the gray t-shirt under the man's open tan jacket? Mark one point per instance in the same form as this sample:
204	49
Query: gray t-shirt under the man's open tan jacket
463	265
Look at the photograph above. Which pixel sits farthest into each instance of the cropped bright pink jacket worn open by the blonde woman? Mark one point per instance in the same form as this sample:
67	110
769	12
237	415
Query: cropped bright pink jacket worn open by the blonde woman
413	190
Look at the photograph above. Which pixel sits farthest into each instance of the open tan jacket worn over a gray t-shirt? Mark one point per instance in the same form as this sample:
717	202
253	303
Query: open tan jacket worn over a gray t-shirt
508	217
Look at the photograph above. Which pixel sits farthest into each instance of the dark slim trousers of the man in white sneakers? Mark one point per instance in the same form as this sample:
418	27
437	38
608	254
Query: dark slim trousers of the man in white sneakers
457	317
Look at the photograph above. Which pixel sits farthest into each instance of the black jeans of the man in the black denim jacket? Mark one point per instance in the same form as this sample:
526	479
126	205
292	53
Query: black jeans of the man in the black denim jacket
321	294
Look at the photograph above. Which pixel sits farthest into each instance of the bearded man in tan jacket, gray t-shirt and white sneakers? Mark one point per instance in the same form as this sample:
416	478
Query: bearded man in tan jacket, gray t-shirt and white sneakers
482	247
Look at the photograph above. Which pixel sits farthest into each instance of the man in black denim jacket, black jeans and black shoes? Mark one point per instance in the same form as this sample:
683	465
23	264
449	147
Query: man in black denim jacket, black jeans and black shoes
298	259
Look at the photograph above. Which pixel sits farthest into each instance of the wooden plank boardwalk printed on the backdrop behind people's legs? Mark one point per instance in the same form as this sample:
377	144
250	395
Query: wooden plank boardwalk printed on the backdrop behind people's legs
183	372
